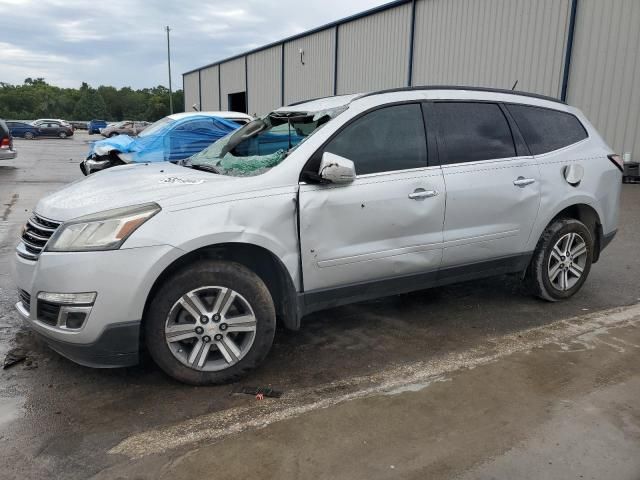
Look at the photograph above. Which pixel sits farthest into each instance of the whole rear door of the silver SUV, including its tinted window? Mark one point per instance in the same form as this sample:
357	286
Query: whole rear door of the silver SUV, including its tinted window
493	187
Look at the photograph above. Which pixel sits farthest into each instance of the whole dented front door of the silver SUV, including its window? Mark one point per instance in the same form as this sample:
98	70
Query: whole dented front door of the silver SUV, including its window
388	222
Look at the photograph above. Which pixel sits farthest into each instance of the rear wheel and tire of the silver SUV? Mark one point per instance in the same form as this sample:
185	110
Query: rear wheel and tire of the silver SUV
553	274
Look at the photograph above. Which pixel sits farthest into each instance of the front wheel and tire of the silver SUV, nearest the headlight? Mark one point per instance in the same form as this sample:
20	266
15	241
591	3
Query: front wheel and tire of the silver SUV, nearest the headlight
245	304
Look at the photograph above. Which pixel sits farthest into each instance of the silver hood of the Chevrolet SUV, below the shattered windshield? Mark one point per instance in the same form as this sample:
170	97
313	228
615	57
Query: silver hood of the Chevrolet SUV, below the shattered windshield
127	185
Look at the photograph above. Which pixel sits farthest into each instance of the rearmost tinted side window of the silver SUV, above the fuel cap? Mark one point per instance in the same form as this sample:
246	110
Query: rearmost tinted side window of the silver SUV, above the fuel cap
546	130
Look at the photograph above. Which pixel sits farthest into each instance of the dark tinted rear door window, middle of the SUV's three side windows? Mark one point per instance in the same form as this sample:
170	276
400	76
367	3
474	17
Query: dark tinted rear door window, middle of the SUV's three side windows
472	132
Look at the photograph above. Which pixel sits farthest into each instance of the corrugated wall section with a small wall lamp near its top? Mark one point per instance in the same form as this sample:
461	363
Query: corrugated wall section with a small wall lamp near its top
315	78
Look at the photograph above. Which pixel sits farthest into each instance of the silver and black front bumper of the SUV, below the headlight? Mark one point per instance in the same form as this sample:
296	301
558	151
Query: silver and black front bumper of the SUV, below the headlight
122	279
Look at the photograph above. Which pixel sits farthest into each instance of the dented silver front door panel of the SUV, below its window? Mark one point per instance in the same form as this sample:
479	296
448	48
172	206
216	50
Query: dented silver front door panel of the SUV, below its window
381	226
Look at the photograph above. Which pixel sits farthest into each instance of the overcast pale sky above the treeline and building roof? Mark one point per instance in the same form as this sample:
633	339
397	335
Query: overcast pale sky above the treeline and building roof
122	42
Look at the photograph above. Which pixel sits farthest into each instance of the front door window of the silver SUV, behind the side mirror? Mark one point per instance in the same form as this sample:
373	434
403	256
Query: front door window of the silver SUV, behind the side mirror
387	139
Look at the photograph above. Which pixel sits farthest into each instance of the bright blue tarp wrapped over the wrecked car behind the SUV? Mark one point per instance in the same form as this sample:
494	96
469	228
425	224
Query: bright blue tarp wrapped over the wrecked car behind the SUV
167	139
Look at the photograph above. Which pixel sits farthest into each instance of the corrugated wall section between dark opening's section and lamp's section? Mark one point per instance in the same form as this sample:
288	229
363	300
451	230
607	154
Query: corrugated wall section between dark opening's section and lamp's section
264	75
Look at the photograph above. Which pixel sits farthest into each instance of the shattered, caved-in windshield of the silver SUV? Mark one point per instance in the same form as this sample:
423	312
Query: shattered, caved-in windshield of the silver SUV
261	144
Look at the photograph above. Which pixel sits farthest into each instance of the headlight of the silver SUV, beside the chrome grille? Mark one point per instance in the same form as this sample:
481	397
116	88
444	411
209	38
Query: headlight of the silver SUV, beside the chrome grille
101	231
